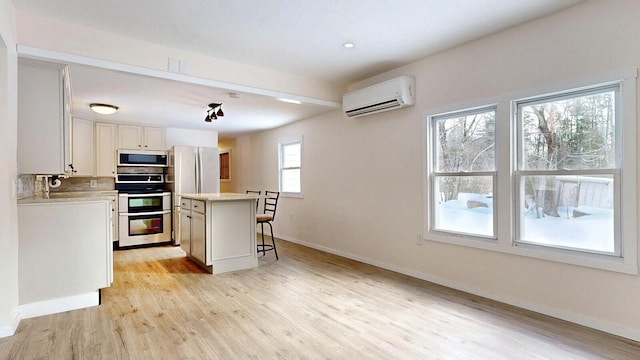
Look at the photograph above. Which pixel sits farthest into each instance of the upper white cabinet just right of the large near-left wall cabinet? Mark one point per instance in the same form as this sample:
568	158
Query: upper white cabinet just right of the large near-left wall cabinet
82	147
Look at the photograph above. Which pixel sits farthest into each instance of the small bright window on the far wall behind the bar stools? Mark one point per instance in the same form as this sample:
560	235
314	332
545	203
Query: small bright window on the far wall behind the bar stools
290	159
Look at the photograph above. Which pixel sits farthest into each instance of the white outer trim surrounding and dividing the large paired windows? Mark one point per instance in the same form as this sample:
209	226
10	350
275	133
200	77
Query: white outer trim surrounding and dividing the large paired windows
505	181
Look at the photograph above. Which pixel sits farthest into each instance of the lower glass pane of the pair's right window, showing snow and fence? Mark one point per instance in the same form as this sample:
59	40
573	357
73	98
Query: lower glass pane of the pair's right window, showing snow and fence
568	211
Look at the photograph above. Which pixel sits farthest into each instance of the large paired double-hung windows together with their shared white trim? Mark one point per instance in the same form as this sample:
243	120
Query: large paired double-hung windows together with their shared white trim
549	175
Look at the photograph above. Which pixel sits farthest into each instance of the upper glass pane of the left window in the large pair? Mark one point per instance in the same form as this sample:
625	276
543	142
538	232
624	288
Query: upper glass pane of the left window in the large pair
465	143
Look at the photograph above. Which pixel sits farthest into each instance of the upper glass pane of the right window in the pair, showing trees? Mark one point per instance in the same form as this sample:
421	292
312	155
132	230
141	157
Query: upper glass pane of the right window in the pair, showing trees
576	133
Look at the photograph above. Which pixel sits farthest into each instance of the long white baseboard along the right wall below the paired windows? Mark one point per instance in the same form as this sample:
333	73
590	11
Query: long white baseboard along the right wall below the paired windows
632	334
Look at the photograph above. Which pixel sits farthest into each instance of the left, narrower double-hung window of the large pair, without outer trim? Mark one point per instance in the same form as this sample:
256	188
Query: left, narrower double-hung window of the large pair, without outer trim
463	173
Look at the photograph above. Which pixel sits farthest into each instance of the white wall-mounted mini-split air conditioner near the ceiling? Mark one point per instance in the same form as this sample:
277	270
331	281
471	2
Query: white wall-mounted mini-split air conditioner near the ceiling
389	95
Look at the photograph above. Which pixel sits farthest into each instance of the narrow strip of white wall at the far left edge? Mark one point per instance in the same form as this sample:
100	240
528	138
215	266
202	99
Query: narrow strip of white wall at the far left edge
8	210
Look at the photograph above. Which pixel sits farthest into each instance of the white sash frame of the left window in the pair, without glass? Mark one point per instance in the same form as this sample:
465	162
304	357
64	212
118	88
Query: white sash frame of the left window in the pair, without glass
434	174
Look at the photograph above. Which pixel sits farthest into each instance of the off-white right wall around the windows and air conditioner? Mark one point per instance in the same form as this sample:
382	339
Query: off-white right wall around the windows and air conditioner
363	177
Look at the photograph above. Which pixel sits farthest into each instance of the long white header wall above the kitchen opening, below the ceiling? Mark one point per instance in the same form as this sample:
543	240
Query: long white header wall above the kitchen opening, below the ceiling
63	37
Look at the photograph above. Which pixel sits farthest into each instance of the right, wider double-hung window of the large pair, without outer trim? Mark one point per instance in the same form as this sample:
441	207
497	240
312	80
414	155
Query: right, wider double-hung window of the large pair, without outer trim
568	170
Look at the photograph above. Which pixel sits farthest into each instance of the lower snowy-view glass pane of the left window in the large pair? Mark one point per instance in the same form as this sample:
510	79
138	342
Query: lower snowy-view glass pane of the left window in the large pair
464	204
